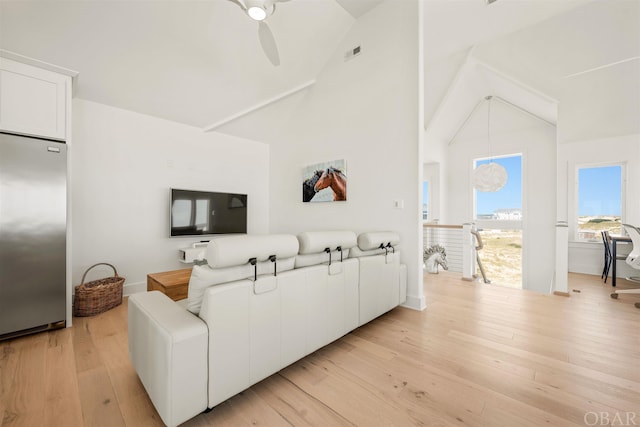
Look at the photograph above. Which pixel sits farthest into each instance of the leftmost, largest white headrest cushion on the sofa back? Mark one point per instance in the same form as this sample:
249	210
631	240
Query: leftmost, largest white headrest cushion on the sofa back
238	250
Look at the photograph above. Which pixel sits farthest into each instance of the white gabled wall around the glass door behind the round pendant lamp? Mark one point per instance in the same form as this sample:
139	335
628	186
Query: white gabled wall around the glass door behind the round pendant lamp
537	143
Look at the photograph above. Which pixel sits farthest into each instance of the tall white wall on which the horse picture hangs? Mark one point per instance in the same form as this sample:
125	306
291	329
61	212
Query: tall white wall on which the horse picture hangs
365	111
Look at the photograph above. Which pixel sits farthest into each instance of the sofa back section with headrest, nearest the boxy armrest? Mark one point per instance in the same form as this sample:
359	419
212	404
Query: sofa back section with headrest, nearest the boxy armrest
244	316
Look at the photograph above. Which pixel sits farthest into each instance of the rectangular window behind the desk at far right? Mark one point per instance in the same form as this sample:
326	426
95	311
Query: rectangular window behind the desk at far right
600	201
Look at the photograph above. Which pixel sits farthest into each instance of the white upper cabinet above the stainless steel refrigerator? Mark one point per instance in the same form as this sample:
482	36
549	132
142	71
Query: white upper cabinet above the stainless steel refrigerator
33	100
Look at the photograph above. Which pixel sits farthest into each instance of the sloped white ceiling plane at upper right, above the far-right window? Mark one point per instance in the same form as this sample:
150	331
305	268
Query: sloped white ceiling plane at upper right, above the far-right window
599	35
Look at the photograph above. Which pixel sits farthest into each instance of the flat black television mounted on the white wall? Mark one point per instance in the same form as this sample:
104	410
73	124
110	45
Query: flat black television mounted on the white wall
201	213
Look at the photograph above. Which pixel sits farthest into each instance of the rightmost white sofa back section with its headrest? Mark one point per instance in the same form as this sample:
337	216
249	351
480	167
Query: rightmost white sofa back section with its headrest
381	287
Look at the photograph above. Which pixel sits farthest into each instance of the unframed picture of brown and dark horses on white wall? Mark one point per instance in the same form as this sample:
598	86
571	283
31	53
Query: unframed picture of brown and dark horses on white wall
325	182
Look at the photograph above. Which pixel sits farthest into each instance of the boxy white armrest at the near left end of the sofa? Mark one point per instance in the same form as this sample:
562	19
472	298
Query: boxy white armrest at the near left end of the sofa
168	350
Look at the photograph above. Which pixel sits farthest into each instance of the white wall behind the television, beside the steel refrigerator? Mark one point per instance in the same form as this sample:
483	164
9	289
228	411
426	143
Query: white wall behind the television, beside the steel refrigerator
124	163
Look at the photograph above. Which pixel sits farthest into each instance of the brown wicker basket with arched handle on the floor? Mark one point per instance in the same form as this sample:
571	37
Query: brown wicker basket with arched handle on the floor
99	295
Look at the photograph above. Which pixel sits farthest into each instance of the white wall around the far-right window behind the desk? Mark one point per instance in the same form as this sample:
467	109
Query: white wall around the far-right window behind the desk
585	257
